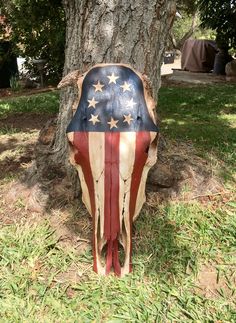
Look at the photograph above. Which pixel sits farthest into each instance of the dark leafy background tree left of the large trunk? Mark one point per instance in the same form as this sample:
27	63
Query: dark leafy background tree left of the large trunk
37	31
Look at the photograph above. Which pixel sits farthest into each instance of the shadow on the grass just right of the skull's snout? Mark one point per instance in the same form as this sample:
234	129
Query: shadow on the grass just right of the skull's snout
156	248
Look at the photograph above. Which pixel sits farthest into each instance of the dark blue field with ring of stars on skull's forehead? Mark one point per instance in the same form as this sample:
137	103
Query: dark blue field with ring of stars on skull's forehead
112	100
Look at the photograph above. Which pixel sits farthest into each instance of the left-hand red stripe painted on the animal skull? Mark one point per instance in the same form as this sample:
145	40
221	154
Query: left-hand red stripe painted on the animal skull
81	142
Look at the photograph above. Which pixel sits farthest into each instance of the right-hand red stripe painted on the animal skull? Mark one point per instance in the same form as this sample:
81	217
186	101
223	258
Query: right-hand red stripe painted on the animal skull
142	144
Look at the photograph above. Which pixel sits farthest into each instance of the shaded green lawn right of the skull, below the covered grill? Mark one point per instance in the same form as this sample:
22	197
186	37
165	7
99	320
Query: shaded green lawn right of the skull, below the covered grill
203	116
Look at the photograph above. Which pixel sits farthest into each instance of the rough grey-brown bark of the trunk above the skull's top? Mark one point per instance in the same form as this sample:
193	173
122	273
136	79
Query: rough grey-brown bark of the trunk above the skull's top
132	32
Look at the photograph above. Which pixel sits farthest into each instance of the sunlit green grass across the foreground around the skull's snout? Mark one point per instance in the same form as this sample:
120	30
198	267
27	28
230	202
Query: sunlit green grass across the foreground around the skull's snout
167	255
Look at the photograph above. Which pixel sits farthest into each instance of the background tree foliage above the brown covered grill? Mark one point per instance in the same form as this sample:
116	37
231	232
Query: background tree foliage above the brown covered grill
214	19
